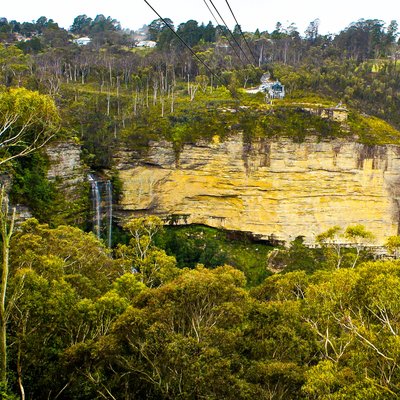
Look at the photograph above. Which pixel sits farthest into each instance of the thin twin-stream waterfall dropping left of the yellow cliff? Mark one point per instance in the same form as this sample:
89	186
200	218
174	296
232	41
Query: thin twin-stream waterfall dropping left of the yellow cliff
102	202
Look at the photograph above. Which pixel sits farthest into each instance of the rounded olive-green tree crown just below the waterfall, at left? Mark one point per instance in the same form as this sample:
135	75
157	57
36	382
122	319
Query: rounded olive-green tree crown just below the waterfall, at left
78	254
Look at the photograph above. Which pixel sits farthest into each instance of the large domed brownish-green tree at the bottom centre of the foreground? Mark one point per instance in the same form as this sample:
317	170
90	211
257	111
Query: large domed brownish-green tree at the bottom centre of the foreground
179	339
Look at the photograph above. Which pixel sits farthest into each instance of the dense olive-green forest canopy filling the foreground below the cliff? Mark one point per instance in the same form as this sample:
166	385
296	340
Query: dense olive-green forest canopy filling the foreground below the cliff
163	332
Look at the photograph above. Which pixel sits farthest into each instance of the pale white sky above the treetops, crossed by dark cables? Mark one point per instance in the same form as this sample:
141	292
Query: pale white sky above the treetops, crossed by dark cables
334	15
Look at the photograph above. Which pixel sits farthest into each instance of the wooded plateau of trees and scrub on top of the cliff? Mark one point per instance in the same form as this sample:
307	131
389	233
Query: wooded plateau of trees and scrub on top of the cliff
111	92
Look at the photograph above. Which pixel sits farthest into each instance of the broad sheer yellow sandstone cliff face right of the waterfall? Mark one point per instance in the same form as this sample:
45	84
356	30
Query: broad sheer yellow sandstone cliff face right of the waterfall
272	187
